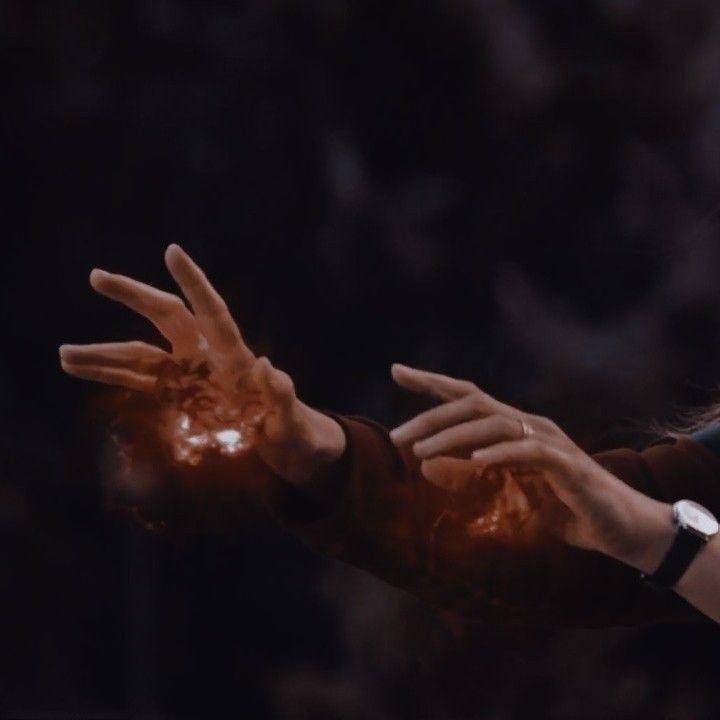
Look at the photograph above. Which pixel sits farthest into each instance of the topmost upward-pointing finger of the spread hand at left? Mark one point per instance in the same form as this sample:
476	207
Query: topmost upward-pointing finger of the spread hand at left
214	319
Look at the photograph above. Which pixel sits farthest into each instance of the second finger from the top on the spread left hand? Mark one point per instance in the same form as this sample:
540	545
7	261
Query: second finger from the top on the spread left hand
167	312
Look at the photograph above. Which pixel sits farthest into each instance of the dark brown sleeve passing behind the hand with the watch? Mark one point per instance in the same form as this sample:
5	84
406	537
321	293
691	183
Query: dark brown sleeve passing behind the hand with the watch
375	510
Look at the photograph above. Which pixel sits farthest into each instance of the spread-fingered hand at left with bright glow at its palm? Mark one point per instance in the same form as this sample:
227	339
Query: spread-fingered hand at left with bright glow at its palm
207	351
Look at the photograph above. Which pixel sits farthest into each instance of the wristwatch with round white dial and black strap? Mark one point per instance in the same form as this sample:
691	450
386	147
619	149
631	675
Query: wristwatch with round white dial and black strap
695	526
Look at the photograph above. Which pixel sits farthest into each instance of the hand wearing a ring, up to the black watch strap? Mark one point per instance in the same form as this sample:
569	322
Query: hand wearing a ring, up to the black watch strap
604	514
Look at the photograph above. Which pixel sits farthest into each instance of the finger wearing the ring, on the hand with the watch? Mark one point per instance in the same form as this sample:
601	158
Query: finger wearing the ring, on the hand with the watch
474	433
